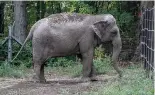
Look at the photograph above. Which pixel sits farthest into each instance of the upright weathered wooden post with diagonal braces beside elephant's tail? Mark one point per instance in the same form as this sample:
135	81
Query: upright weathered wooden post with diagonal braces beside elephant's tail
10	44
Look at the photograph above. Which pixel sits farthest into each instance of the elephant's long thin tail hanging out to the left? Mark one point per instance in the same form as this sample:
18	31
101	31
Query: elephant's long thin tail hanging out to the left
30	35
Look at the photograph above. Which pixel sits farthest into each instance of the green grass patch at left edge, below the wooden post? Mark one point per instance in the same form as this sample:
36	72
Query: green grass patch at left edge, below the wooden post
8	70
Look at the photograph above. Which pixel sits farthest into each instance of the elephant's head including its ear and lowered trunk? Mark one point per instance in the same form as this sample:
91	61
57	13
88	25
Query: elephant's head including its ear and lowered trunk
106	29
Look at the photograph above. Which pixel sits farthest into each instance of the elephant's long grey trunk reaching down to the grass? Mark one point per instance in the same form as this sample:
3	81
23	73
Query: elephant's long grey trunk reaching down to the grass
117	46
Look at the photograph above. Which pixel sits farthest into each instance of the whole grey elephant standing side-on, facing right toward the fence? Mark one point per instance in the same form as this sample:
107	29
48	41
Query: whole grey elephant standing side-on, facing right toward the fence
72	34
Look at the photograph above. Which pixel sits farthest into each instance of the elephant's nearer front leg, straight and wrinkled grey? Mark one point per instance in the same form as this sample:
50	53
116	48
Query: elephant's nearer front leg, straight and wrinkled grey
87	62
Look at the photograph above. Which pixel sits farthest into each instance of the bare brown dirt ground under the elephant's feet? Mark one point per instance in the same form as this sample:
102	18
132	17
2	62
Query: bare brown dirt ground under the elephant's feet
56	85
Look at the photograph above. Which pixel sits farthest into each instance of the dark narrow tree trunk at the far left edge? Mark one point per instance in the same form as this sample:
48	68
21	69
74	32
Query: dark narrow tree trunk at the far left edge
2	4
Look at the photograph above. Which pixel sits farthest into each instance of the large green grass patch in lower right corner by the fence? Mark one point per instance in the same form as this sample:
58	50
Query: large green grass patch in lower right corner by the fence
133	82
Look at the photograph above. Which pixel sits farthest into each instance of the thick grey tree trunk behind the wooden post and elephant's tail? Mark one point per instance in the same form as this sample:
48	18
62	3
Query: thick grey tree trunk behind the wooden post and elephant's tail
20	20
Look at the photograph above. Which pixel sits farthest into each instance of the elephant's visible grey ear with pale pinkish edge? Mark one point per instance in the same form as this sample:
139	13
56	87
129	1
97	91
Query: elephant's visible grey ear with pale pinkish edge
98	27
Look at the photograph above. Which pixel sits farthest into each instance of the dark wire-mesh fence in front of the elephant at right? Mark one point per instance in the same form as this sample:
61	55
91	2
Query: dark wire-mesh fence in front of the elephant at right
147	40
